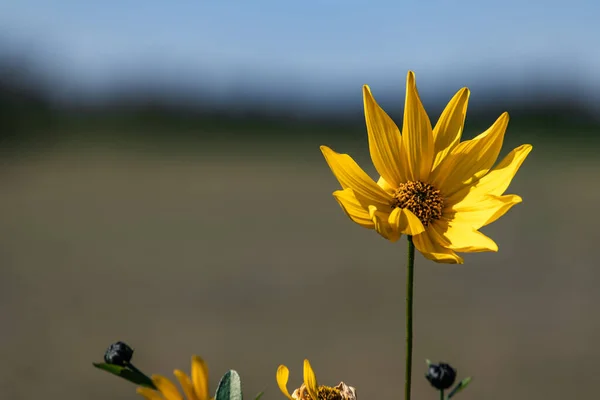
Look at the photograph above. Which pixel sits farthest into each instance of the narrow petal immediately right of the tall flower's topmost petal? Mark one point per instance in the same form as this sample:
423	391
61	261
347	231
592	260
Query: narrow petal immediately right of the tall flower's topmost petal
448	130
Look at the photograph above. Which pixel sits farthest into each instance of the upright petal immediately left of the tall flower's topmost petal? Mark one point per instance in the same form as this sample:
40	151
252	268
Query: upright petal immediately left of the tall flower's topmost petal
384	140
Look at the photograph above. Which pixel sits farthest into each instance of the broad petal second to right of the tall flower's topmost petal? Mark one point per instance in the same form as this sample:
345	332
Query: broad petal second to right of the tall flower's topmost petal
471	159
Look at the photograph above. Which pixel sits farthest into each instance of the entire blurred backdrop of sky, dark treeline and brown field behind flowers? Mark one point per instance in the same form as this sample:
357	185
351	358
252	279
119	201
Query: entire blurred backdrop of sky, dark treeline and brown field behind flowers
162	184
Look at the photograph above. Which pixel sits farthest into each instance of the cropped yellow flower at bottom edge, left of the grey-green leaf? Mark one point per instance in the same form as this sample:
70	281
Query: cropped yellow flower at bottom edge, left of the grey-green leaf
195	388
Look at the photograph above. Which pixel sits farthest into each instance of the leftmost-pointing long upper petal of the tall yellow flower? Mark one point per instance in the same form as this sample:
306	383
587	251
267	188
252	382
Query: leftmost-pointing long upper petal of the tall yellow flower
350	175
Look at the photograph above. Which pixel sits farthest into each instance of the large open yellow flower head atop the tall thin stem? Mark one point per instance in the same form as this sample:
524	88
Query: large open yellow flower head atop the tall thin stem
432	186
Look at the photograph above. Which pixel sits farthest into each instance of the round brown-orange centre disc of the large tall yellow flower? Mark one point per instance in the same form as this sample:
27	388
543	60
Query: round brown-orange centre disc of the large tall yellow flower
422	199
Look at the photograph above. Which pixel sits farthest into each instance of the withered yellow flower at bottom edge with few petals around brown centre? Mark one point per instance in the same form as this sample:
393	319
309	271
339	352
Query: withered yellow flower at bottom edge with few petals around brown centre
310	390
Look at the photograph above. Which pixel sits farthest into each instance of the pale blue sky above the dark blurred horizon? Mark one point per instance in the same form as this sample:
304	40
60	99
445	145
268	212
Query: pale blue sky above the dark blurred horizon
303	46
